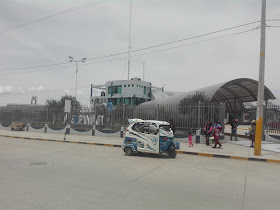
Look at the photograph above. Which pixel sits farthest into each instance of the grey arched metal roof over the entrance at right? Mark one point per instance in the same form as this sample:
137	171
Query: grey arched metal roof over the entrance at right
233	93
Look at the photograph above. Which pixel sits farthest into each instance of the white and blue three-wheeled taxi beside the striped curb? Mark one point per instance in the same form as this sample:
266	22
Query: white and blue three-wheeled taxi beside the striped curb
149	136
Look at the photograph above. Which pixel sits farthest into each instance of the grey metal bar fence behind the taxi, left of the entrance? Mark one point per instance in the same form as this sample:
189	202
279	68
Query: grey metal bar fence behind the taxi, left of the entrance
187	118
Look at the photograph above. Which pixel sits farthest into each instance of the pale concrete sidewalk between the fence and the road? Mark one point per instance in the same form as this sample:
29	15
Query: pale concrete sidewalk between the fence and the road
228	150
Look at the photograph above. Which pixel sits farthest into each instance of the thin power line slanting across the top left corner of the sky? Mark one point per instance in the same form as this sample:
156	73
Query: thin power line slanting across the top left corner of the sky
71	9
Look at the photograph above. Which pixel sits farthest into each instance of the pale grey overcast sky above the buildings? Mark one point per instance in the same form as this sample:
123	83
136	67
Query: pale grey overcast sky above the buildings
101	29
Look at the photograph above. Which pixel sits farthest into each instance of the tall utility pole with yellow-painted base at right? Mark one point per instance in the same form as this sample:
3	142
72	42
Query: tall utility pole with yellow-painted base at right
259	123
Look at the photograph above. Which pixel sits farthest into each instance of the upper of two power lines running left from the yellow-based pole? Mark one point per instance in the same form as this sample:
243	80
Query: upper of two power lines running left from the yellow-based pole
140	49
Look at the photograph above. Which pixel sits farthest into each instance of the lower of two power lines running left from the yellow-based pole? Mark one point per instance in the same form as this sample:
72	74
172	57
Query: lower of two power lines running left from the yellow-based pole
160	50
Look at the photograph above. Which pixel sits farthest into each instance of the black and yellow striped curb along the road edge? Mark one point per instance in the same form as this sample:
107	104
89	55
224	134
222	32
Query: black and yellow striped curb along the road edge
178	151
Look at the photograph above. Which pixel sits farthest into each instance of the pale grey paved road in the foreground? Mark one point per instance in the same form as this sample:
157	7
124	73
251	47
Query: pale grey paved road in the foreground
52	175
